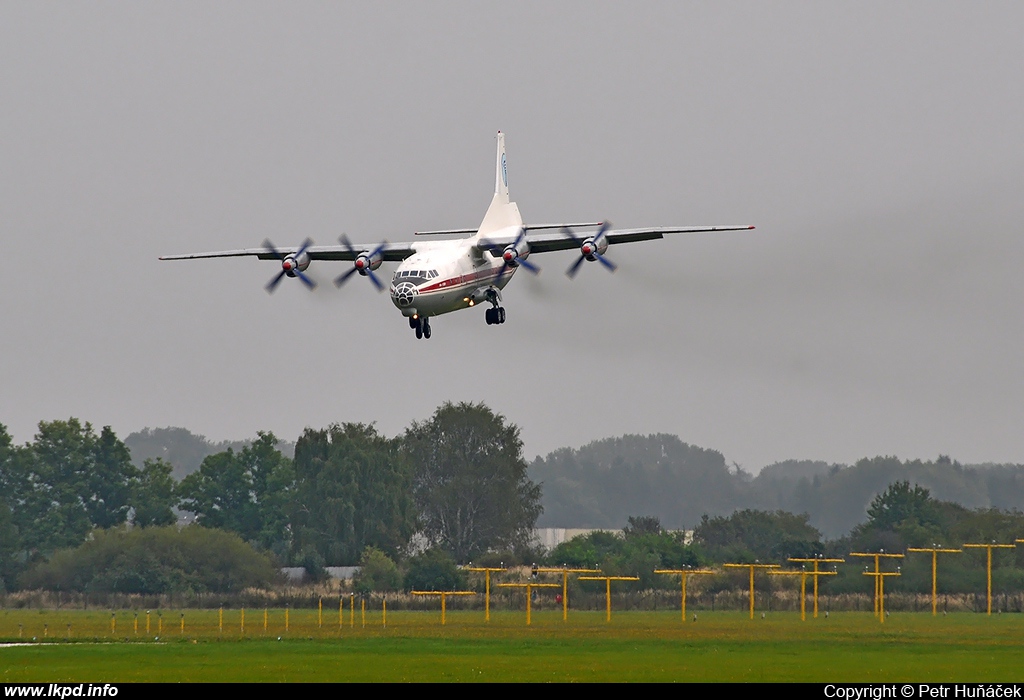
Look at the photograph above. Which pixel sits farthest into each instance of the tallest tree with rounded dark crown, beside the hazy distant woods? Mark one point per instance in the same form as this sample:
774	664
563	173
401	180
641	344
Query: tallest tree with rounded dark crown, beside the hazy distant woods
471	480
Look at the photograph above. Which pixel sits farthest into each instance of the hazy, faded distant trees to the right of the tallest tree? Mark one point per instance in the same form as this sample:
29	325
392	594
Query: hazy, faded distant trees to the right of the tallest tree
603	484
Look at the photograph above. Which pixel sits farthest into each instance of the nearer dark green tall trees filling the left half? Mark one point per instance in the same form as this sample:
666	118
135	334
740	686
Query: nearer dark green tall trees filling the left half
458	482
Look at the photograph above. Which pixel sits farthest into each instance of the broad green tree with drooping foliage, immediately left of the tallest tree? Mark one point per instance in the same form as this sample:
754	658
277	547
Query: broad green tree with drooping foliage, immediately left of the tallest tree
353	492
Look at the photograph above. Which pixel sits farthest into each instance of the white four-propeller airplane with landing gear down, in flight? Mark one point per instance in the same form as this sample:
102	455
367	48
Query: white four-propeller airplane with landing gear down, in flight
438	277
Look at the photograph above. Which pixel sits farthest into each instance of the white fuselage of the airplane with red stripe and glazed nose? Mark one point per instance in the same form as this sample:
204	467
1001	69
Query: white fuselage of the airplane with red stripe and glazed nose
446	277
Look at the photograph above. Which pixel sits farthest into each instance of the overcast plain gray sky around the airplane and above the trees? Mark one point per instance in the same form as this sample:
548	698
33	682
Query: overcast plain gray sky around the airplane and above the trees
876	146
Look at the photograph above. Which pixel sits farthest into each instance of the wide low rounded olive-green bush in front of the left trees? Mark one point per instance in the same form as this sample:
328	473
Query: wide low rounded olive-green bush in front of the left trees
156	560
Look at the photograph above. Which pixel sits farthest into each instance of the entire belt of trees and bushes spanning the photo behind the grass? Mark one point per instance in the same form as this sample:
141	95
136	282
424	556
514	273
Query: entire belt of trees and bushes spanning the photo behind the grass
456	486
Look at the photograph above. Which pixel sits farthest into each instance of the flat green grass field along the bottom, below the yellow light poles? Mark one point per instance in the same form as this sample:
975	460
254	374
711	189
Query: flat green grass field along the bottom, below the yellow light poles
635	646
